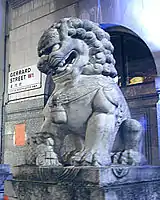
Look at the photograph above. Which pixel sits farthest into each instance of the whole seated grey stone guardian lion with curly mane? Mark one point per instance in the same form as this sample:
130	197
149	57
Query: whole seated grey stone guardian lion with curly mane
87	120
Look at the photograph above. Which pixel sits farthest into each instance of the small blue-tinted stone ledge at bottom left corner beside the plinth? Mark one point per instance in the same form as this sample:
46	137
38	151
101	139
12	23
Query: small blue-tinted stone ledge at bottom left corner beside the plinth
5	174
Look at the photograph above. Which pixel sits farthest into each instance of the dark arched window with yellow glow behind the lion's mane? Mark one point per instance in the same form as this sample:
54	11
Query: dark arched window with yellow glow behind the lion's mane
134	61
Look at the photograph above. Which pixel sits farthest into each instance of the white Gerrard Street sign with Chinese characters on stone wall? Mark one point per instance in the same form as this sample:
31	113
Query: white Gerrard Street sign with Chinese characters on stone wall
27	78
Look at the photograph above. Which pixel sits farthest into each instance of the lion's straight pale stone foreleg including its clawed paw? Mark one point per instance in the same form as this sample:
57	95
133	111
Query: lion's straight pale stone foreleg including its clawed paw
98	141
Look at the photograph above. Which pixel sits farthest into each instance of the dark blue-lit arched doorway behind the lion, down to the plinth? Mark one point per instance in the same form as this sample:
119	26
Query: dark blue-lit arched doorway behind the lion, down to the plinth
136	74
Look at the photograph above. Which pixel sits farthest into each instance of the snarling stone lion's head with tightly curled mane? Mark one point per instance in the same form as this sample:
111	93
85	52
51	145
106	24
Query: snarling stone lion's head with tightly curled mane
76	47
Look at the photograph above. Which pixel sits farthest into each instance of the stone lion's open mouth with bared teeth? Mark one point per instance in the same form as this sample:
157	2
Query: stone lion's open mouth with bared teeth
66	62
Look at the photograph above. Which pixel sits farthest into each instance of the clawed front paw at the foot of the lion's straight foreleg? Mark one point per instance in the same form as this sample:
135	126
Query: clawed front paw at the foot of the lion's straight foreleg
88	157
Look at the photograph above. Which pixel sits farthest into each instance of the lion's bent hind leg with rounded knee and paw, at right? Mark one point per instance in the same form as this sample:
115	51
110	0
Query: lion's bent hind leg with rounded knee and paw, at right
131	137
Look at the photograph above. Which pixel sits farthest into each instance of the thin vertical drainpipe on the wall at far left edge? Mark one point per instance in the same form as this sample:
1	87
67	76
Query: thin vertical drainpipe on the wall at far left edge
3	31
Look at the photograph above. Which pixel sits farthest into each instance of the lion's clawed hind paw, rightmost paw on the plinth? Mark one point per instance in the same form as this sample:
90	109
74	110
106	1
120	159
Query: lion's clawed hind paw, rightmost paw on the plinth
128	157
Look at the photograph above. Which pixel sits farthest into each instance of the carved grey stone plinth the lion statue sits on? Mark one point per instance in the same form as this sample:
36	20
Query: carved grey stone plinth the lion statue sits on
86	183
